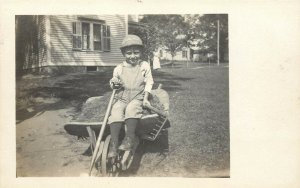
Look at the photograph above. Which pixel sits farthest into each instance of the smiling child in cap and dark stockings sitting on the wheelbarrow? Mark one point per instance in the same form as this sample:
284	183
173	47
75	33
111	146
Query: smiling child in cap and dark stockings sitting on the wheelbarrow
134	81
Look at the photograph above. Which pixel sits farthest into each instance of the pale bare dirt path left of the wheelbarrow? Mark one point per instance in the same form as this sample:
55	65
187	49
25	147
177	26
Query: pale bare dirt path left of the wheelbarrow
44	148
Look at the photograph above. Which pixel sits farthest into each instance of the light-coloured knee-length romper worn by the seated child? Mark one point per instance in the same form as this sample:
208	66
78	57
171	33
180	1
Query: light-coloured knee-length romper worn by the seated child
130	97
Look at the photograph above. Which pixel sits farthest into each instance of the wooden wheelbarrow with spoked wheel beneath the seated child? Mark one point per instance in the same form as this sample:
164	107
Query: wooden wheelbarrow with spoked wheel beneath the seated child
151	126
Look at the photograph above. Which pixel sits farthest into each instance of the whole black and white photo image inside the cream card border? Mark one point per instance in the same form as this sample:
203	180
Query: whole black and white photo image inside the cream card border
112	95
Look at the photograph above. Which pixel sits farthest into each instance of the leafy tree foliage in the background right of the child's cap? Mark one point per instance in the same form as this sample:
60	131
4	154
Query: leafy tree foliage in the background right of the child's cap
164	30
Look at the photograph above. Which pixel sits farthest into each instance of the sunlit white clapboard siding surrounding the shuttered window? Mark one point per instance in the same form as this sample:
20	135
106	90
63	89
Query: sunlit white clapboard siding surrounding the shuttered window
61	42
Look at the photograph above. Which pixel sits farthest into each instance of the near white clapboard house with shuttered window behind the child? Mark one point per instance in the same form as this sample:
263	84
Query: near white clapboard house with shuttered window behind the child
69	43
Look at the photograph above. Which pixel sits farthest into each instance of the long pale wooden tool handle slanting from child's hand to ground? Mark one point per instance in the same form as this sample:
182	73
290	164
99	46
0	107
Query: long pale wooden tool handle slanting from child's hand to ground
102	130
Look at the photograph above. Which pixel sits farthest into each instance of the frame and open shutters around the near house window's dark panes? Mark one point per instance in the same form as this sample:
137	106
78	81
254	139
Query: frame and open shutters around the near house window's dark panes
105	38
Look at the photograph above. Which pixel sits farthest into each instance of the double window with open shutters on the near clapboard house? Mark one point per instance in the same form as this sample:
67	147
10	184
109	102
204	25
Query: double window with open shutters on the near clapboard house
91	36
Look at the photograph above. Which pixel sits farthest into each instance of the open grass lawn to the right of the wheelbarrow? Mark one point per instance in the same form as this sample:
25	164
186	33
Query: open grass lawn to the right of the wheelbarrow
199	114
